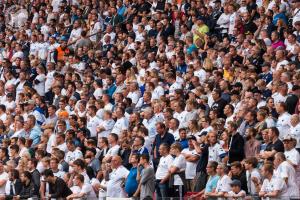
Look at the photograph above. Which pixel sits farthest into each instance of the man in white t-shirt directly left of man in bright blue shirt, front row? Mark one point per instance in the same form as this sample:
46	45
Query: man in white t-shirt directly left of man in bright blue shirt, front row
116	178
